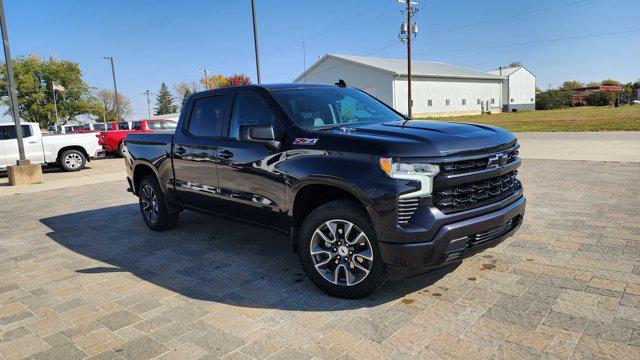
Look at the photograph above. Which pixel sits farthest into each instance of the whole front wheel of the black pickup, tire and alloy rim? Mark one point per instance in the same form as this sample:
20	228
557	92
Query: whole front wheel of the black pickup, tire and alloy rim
338	250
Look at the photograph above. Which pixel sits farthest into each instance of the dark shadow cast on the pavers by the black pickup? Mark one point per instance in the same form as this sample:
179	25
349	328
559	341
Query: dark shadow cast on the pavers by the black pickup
209	258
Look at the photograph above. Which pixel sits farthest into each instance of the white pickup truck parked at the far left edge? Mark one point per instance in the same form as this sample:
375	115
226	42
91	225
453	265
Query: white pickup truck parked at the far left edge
69	152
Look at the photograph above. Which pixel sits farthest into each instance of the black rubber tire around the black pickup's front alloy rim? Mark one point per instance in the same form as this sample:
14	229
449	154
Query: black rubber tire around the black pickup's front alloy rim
346	211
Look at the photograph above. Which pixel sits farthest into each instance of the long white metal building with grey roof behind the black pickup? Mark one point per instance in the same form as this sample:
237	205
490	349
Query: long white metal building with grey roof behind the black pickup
438	89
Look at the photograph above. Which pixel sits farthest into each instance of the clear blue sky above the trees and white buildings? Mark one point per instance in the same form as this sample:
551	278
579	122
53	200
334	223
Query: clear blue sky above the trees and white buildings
169	41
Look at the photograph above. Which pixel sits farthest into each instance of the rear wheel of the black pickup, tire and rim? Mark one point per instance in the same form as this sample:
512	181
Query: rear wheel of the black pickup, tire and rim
153	207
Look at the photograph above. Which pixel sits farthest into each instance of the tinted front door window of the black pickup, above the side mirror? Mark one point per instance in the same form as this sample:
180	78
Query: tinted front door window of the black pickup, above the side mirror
248	109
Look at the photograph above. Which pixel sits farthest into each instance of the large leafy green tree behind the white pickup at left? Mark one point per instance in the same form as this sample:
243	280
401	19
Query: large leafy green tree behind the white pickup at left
34	84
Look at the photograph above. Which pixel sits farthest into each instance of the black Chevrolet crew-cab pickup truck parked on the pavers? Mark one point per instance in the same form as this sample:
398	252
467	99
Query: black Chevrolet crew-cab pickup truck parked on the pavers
358	187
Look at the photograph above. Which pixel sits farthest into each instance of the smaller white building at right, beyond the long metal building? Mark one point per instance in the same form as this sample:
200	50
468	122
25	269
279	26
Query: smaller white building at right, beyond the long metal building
518	88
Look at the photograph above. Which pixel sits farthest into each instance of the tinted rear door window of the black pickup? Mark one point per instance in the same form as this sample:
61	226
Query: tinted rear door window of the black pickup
206	116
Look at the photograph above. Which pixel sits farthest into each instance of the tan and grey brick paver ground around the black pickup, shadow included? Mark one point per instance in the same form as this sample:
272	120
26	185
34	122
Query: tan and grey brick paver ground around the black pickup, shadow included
81	276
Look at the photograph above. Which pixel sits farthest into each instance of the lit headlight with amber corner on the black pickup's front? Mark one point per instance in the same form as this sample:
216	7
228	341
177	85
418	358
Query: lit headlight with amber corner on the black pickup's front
411	171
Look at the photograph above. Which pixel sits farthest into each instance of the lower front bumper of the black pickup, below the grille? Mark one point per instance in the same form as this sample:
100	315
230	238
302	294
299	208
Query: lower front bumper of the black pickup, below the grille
456	240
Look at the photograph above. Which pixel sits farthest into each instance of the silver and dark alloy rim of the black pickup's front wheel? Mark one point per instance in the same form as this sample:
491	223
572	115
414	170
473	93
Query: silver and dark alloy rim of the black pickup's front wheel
341	252
